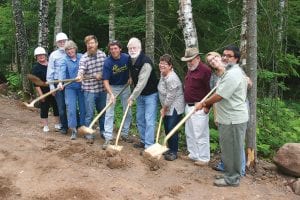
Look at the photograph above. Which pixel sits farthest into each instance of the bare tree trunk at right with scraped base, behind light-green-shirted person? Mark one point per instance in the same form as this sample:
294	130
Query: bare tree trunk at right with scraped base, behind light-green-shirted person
252	71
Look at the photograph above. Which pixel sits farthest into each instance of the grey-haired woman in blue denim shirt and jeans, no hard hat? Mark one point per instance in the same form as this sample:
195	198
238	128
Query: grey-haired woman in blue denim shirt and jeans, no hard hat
73	92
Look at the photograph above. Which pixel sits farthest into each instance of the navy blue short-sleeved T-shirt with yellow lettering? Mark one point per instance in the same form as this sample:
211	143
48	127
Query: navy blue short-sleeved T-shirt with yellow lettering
116	70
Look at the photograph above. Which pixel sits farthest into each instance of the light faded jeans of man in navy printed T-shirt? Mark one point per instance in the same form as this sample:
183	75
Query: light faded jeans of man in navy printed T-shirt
109	115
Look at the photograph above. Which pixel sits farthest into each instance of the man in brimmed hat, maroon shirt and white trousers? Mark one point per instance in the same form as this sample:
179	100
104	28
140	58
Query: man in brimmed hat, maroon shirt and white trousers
196	86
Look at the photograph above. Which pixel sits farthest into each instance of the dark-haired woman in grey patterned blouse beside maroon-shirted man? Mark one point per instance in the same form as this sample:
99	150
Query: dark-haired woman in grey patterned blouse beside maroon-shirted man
172	101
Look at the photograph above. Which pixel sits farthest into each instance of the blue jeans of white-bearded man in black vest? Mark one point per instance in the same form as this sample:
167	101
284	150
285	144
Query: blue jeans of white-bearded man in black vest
146	112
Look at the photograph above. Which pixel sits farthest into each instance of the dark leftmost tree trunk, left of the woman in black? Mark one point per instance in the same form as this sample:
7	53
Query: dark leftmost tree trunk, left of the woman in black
22	45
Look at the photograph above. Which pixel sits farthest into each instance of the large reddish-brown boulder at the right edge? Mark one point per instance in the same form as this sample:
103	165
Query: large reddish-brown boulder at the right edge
287	159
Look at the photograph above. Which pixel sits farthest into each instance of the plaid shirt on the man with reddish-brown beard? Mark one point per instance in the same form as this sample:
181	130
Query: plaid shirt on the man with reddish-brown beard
91	66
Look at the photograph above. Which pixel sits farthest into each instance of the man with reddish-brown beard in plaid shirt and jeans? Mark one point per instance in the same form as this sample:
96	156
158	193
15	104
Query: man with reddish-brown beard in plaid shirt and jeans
90	65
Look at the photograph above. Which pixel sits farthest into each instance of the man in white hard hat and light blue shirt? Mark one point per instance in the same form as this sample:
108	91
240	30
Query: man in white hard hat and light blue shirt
52	74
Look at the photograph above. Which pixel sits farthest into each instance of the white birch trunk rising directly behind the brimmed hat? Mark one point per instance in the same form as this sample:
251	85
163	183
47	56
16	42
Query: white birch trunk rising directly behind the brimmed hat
186	21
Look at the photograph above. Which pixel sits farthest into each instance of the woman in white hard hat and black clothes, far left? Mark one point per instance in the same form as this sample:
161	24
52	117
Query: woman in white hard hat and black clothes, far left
40	70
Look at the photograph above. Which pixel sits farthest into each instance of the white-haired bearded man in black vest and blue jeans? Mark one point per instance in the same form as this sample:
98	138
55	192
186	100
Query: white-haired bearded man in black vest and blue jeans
145	92
